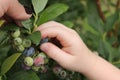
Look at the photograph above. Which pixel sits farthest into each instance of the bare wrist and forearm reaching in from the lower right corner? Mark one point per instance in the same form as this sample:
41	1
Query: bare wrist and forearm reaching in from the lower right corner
97	68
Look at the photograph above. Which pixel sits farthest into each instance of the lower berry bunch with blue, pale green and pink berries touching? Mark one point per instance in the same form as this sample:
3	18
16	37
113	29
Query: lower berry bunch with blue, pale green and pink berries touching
34	61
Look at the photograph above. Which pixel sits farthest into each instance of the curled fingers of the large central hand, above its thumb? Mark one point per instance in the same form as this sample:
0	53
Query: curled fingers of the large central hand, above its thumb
59	31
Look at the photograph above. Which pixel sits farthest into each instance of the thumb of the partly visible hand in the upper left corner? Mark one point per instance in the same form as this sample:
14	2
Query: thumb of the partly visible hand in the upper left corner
17	11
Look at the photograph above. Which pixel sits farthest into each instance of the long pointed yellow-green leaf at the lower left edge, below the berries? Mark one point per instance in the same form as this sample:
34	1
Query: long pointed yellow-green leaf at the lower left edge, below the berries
9	62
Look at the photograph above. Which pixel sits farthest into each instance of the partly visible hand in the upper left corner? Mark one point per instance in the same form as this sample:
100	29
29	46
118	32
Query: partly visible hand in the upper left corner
13	9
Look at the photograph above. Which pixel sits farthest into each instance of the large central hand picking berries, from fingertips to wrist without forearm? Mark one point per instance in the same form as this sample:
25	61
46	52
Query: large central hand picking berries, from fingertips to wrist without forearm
73	51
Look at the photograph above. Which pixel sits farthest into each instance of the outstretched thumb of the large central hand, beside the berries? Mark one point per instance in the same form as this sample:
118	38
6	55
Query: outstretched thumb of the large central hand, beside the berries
56	53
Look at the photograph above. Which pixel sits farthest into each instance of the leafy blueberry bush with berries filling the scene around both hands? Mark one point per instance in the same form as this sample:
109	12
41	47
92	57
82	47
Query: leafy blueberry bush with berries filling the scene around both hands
96	21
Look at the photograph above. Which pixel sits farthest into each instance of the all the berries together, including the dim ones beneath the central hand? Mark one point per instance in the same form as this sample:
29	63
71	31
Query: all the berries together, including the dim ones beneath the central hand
34	59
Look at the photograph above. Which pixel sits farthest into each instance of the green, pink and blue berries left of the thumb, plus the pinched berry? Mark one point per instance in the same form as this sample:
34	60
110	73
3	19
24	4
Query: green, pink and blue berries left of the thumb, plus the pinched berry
32	57
